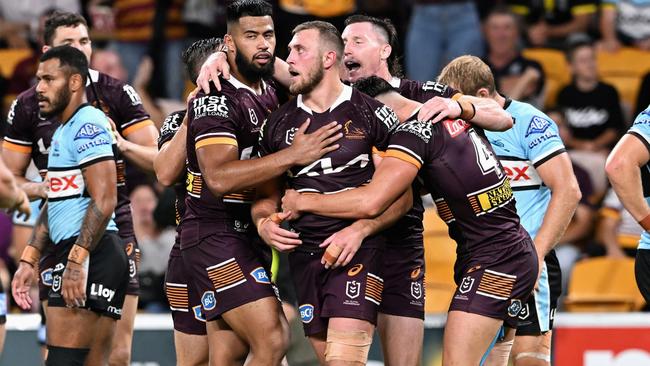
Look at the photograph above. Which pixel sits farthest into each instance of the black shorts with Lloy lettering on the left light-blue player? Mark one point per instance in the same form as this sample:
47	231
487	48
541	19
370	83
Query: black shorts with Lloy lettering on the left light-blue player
108	276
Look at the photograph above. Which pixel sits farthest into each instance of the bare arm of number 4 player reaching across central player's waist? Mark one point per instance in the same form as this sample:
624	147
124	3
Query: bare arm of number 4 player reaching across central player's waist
392	178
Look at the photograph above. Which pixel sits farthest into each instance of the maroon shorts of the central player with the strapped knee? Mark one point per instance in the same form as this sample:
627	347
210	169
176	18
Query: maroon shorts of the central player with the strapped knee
353	291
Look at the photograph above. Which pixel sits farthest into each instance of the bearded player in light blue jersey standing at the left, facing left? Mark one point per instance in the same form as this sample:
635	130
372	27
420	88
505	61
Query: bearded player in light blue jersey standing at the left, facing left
87	290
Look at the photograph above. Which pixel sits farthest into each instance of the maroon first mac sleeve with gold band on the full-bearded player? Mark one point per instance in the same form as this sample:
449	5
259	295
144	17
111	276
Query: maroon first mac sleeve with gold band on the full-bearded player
212	121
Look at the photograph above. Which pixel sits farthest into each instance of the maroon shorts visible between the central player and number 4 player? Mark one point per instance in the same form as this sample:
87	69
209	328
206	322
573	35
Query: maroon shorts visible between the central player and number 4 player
403	282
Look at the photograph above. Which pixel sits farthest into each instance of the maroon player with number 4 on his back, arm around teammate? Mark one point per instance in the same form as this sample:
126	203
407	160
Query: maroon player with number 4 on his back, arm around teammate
496	266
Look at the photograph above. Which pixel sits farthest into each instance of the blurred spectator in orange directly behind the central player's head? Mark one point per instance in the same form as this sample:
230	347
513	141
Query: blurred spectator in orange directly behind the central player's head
289	13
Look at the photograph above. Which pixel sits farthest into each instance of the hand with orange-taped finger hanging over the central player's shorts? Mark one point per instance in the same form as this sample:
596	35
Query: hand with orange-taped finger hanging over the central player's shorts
345	242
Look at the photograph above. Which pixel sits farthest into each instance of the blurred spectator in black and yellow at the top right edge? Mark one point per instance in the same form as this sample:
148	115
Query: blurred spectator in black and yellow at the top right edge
551	21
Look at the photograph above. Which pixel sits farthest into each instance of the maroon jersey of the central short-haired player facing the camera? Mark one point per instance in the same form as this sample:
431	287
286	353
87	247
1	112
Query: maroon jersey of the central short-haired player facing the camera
366	125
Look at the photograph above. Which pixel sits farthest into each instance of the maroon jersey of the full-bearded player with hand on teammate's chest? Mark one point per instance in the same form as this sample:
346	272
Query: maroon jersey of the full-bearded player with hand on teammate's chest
232	116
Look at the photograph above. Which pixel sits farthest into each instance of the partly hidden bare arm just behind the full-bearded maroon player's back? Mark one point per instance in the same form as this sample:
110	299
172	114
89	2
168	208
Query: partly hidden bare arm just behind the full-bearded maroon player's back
169	163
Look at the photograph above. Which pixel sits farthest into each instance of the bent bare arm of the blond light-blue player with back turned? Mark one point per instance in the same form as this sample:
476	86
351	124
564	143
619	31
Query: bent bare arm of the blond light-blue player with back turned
557	174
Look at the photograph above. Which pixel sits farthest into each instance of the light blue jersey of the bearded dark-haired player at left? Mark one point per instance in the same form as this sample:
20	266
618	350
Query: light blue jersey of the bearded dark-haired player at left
83	140
